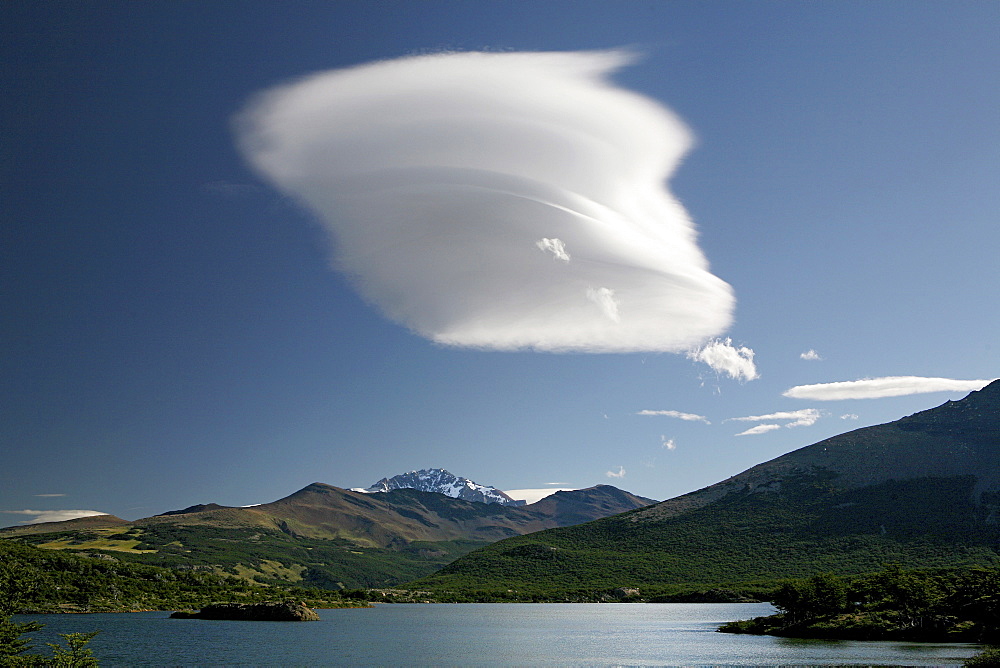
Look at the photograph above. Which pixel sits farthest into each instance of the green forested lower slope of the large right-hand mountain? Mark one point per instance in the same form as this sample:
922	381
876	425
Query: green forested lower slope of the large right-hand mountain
742	538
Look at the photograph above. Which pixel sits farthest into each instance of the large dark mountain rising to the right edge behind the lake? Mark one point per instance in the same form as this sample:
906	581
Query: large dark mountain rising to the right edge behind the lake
923	491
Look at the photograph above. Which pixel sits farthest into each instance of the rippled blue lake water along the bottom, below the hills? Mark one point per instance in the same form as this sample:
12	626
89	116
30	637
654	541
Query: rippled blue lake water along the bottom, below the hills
488	634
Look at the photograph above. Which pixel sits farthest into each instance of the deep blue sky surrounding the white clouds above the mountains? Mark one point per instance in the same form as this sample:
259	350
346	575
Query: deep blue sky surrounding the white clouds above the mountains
172	332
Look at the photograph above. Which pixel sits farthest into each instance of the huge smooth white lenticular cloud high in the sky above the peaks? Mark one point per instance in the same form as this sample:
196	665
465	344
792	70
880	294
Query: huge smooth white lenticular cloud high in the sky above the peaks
498	200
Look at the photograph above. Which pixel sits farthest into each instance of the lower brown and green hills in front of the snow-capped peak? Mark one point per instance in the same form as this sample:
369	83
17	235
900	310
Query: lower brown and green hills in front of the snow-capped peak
324	535
